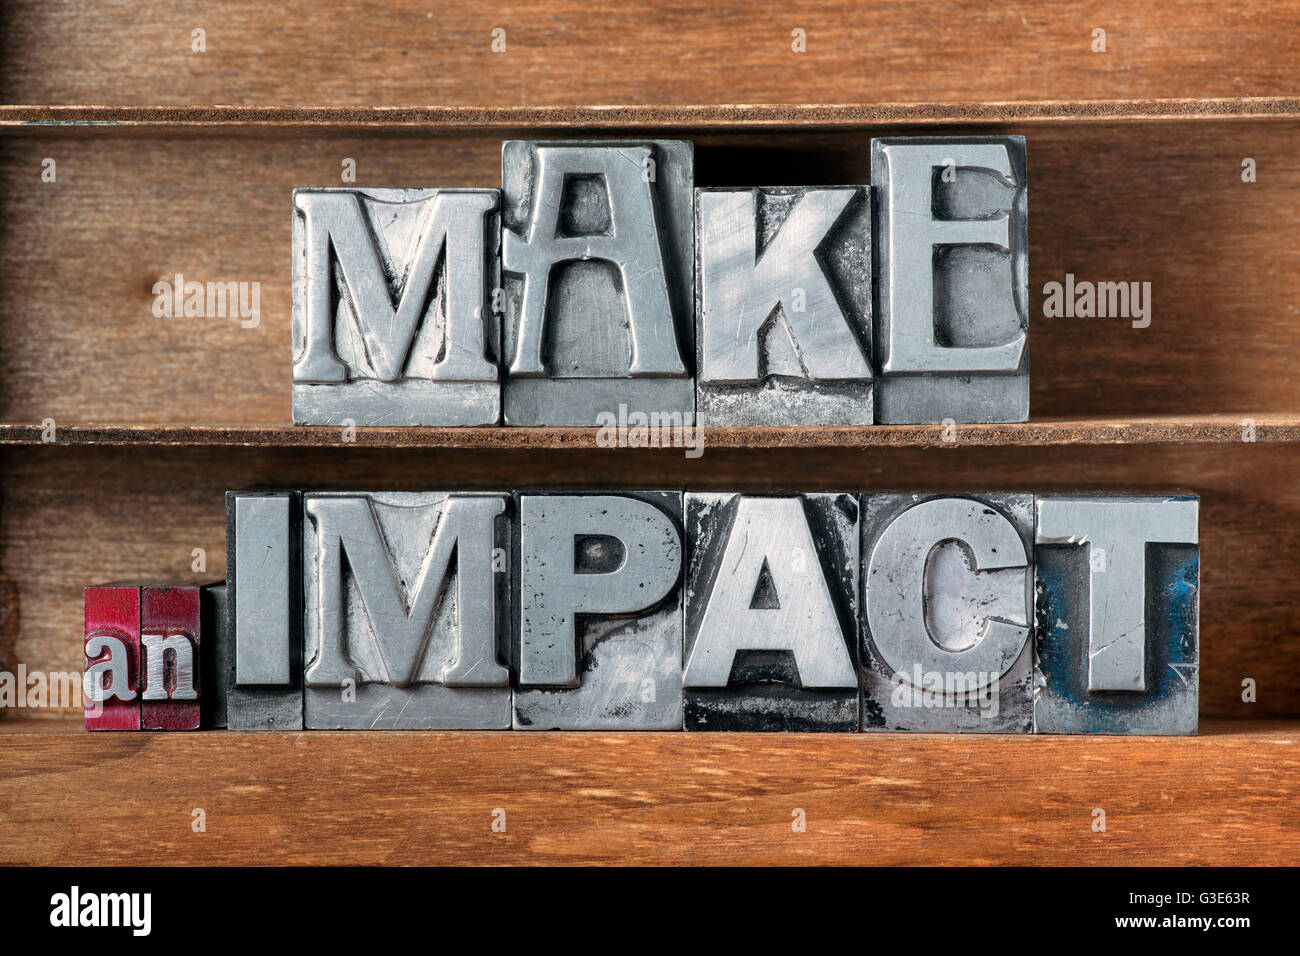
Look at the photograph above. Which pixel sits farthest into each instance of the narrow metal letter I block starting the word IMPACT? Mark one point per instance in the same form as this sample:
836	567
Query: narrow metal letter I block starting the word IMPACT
263	651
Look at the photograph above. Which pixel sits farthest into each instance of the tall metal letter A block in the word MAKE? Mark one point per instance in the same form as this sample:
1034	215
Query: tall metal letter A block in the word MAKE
597	257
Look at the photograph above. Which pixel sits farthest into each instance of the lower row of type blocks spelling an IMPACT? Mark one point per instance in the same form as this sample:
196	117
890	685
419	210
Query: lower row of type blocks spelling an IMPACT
1004	613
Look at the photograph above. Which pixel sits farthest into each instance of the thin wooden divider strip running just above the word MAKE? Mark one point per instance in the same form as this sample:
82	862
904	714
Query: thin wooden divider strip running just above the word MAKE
649	118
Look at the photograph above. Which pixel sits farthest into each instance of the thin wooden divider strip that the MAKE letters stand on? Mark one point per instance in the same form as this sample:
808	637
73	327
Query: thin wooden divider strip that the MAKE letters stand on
1223	429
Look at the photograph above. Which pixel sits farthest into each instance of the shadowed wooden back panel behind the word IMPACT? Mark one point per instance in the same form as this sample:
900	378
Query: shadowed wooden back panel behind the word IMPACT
80	514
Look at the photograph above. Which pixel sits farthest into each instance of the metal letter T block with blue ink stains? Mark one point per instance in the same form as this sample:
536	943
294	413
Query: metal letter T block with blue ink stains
1119	615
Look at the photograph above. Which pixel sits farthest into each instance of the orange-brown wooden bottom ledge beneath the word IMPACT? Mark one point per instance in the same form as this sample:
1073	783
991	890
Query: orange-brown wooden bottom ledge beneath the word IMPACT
1225	798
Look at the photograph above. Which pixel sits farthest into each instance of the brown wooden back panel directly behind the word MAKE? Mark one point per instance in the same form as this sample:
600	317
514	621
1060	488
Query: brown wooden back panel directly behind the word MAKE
1160	204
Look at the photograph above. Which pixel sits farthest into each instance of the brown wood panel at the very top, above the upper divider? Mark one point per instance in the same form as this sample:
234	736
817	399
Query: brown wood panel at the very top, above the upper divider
408	53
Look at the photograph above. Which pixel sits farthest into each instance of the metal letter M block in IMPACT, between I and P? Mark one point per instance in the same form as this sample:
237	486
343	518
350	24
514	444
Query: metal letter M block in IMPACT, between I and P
408	611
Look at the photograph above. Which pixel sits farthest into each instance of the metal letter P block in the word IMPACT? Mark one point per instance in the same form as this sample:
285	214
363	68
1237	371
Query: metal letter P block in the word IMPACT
599	631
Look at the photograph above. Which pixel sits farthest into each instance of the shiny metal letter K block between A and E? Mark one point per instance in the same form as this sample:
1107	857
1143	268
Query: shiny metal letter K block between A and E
785	306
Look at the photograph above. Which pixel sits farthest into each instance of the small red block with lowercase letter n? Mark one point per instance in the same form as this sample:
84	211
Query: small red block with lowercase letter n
170	644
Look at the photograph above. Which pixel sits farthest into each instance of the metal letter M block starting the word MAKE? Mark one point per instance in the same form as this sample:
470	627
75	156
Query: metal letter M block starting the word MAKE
393	306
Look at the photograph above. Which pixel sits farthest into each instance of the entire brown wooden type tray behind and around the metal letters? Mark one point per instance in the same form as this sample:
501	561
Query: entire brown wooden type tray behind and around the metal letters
177	162
